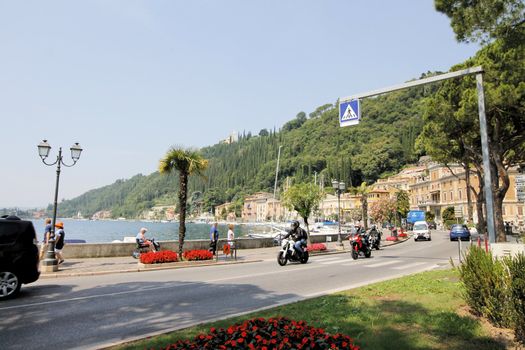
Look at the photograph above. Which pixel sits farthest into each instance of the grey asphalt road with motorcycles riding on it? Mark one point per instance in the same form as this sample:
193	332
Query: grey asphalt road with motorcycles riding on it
91	312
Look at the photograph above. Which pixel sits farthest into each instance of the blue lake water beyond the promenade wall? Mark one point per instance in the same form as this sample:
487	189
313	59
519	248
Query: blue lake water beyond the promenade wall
100	231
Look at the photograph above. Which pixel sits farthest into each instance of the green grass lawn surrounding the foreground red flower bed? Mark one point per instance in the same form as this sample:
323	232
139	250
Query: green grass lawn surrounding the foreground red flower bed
422	311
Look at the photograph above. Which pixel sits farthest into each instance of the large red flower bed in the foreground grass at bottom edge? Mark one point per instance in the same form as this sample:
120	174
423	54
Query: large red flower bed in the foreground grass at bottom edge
274	333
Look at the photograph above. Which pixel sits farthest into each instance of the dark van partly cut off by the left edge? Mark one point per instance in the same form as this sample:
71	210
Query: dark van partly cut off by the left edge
18	255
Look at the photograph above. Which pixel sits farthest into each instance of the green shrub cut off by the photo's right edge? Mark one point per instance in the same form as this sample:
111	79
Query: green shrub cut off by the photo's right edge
516	268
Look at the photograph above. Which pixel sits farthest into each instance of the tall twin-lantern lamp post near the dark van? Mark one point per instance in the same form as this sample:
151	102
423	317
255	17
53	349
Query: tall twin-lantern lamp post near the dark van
50	263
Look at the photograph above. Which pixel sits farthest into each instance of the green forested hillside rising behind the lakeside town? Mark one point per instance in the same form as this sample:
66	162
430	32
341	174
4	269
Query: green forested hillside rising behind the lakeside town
313	145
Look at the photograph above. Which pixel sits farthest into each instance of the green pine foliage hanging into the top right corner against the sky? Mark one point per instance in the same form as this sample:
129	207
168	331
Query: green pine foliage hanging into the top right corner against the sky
483	20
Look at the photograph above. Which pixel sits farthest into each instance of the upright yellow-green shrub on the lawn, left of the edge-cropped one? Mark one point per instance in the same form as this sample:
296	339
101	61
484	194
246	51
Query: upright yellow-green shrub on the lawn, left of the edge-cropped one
485	280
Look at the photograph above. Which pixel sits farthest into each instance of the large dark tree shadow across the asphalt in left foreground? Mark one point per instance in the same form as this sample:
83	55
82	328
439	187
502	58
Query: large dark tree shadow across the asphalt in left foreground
112	312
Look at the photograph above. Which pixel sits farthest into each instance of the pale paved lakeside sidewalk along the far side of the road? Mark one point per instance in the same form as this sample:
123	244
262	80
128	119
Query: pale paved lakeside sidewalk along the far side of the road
100	266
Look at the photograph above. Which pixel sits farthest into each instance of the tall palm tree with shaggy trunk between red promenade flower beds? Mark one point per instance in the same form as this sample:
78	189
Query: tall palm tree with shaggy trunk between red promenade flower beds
187	162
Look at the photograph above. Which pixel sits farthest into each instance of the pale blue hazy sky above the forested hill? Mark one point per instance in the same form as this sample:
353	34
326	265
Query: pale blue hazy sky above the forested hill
129	79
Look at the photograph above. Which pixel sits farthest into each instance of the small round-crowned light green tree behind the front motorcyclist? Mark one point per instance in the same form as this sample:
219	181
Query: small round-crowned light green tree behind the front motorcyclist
304	198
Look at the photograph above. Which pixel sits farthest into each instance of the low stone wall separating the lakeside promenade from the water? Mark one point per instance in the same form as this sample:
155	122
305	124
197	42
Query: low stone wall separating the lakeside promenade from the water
99	250
